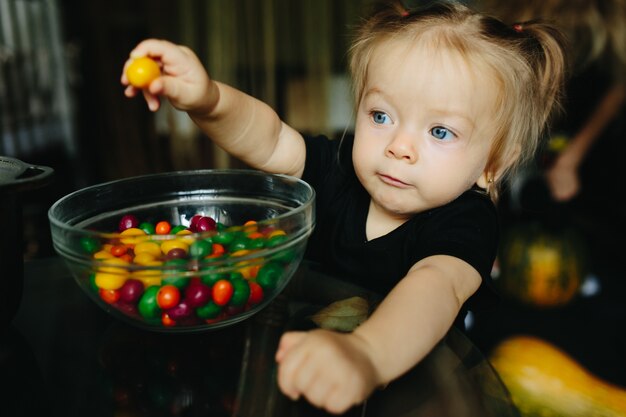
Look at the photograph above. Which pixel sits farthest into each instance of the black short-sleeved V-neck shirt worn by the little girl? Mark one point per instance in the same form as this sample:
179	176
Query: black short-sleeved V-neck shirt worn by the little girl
466	228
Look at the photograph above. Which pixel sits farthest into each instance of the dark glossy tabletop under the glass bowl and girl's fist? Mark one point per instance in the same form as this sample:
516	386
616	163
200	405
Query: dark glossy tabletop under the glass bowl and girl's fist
64	356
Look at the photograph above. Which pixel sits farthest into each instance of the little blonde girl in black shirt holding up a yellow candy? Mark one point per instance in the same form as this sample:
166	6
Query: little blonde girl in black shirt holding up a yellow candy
447	103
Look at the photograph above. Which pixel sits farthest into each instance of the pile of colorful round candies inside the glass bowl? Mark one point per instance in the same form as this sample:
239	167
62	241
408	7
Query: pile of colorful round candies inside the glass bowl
186	275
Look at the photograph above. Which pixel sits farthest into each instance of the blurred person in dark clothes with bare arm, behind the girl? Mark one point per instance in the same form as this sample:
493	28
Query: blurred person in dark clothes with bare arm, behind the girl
582	166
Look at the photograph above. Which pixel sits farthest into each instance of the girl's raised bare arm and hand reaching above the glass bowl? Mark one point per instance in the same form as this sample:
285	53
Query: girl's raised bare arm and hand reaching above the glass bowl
243	126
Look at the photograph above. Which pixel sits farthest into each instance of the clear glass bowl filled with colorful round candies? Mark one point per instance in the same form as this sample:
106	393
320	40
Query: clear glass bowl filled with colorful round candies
188	250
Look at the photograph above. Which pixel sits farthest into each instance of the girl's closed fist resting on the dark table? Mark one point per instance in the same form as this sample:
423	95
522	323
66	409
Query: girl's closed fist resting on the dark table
331	370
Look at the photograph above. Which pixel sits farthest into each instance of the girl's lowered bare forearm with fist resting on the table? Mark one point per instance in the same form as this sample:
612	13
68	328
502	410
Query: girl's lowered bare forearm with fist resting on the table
338	370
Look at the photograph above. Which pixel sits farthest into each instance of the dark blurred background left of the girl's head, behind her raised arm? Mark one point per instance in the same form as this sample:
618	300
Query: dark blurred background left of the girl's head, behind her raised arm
62	105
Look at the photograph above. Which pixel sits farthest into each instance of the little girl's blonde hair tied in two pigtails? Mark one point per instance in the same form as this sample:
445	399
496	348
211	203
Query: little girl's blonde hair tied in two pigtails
527	61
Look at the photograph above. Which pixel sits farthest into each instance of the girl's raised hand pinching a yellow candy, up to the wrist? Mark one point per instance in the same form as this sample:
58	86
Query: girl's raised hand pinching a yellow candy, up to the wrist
183	81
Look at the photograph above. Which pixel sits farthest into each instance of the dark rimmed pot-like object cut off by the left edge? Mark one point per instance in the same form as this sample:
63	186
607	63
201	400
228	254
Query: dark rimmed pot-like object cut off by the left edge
16	177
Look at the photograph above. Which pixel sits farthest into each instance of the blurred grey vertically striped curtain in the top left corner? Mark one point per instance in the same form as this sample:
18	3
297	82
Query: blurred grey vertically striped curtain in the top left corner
35	105
